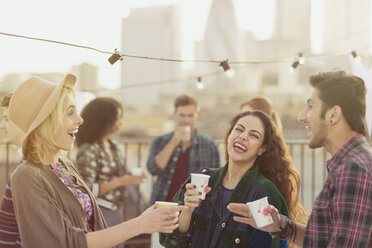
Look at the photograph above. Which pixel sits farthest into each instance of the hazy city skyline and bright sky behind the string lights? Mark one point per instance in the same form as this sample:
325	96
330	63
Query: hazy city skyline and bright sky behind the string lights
221	35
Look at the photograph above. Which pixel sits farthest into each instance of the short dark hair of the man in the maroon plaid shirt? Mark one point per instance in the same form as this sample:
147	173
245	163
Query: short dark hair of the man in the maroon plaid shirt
345	90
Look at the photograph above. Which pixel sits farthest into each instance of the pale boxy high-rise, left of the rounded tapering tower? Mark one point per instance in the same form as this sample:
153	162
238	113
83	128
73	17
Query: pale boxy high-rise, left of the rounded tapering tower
151	32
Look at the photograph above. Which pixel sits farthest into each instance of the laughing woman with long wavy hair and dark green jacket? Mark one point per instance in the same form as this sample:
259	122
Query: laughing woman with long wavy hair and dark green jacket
257	166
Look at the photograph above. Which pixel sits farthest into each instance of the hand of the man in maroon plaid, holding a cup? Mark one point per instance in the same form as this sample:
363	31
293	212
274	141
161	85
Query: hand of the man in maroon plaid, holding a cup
242	209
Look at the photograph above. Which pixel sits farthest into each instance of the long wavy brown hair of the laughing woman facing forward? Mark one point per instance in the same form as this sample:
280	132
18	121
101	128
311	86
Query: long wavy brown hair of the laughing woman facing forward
276	164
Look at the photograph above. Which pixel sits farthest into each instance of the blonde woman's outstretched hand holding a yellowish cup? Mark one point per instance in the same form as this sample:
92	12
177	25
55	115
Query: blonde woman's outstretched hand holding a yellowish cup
159	220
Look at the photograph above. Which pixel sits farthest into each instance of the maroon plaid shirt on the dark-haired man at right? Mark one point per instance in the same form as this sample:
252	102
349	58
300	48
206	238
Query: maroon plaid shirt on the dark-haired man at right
342	212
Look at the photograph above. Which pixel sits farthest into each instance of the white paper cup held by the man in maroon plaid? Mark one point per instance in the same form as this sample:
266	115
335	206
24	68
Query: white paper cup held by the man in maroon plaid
260	213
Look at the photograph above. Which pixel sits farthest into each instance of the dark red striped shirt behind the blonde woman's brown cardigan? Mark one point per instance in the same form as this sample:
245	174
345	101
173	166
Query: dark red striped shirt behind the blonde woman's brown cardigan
9	234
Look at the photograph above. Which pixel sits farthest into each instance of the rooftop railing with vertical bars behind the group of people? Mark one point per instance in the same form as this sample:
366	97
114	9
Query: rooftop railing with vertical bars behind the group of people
309	163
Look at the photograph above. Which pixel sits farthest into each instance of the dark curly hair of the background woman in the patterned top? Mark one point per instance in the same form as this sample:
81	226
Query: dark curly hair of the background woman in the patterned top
99	117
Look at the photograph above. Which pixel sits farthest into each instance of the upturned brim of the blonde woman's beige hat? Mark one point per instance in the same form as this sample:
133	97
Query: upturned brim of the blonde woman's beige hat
48	106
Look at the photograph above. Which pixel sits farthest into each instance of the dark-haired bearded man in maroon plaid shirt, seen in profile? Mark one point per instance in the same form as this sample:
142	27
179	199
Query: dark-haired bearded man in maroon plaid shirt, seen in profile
342	212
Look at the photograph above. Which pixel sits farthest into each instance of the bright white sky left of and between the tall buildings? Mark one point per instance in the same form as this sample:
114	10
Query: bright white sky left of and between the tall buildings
77	22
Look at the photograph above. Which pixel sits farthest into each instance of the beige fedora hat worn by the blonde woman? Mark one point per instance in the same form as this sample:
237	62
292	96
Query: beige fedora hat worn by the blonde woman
33	101
